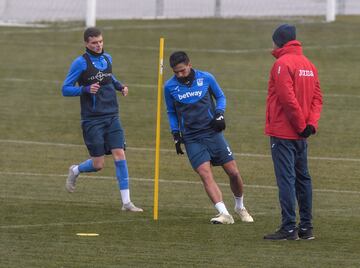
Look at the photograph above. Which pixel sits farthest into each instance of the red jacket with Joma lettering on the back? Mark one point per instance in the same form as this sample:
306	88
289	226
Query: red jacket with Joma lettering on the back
294	95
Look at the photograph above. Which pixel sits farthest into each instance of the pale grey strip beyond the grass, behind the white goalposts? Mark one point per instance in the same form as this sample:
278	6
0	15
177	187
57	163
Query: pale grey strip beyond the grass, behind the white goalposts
63	10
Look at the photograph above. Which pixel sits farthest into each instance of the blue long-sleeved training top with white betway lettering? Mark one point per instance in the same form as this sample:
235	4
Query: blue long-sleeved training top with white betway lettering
191	108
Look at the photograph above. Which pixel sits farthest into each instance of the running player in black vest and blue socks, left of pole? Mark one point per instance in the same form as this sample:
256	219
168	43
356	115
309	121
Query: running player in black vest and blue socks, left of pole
90	77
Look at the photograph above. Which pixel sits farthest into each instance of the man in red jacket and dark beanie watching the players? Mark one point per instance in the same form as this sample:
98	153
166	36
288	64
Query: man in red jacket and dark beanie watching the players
293	109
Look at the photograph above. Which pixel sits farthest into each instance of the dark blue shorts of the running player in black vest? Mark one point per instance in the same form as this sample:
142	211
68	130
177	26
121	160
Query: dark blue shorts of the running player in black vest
102	135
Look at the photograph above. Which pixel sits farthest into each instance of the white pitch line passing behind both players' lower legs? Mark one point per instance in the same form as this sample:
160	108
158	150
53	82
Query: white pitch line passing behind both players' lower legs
169	181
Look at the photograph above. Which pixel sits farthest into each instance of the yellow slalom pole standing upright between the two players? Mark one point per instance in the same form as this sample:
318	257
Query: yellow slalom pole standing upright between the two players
158	117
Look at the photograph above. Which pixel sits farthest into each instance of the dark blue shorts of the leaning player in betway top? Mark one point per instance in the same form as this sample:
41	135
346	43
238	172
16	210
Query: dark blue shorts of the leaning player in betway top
213	148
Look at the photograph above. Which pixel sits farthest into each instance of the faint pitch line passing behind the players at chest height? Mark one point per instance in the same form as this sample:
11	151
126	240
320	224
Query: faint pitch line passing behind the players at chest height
248	90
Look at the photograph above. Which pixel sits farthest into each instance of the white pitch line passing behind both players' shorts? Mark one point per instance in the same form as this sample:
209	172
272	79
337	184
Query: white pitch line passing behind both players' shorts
170	150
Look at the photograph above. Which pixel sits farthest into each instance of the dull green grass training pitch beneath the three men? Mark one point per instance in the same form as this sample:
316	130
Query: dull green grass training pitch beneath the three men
40	138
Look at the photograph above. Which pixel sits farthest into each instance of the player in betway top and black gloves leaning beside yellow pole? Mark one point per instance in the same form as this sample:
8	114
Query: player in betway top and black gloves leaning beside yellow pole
198	122
